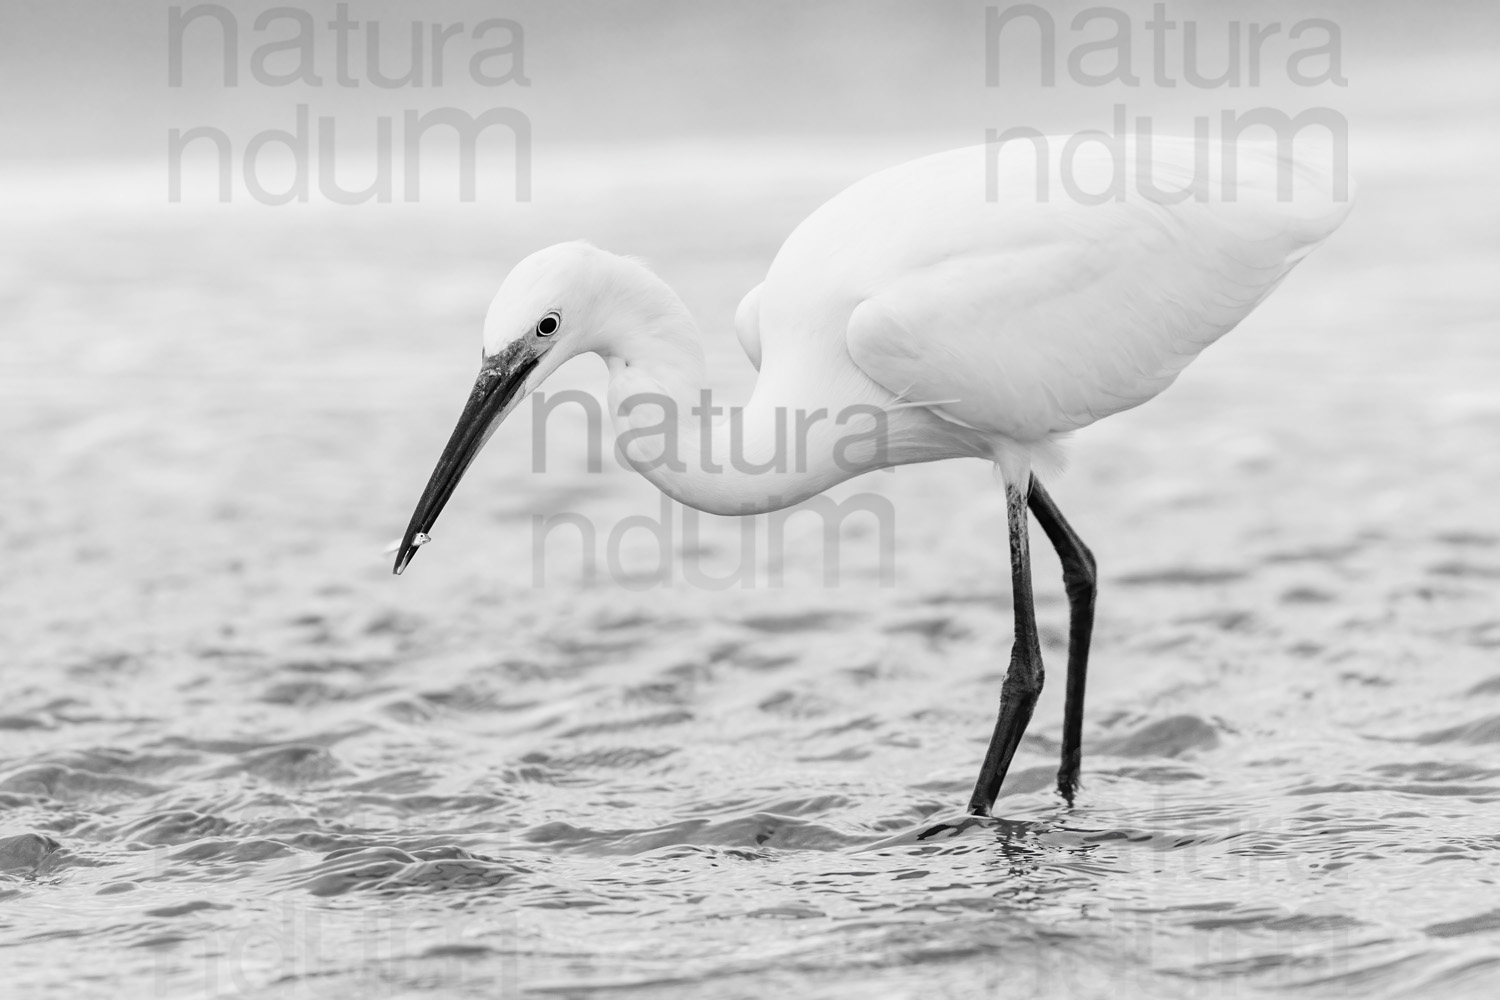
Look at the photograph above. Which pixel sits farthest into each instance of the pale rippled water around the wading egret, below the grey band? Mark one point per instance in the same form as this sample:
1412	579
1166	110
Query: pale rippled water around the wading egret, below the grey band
239	758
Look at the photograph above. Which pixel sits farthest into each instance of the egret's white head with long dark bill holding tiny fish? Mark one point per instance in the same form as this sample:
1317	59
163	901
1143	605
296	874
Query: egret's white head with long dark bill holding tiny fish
562	302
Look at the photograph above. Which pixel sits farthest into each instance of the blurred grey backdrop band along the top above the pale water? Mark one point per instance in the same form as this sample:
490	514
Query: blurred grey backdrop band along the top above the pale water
88	80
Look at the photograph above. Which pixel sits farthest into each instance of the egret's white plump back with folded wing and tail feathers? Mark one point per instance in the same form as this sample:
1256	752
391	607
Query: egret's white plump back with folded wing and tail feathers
1042	295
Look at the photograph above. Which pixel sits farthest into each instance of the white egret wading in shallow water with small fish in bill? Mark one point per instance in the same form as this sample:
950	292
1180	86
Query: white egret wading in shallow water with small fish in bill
977	304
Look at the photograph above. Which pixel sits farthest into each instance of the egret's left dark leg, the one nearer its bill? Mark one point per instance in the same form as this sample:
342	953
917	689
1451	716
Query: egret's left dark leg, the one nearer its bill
1025	675
